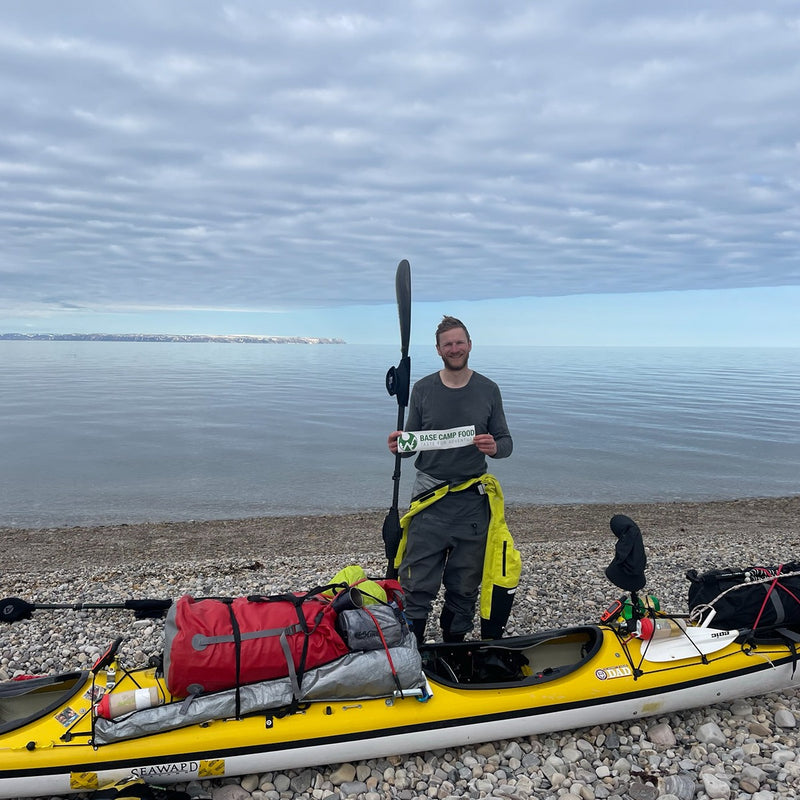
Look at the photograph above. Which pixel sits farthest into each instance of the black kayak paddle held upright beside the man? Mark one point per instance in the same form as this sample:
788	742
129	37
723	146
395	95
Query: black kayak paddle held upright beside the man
398	383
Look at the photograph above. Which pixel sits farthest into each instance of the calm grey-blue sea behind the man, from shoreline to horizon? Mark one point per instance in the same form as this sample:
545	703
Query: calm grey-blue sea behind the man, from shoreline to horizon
94	432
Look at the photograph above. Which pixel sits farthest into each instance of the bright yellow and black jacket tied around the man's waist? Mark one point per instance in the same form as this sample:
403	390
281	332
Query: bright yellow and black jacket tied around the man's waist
502	564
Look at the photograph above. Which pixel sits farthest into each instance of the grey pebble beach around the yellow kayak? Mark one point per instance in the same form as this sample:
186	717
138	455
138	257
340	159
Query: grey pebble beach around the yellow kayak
746	749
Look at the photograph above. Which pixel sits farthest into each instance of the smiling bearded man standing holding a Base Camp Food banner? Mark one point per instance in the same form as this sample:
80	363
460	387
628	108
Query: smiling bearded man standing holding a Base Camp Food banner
445	541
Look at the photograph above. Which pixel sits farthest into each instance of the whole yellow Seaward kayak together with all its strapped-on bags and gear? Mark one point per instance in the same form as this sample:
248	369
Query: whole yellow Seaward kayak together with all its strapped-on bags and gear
212	705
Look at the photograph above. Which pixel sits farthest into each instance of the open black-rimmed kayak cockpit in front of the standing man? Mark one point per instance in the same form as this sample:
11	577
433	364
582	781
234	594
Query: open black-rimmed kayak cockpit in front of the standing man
519	660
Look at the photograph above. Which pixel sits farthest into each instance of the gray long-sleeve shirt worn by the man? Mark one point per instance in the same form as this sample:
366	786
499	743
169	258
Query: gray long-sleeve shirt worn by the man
434	406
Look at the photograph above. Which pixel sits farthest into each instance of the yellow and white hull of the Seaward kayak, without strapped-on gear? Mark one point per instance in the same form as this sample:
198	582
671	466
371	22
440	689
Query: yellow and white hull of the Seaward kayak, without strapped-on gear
578	677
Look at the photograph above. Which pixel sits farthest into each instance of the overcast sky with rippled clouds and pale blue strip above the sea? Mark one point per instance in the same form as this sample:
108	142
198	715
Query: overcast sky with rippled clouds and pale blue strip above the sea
558	172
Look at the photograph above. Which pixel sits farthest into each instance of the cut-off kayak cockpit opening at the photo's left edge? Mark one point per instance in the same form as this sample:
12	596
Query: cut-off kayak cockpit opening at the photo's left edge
23	701
